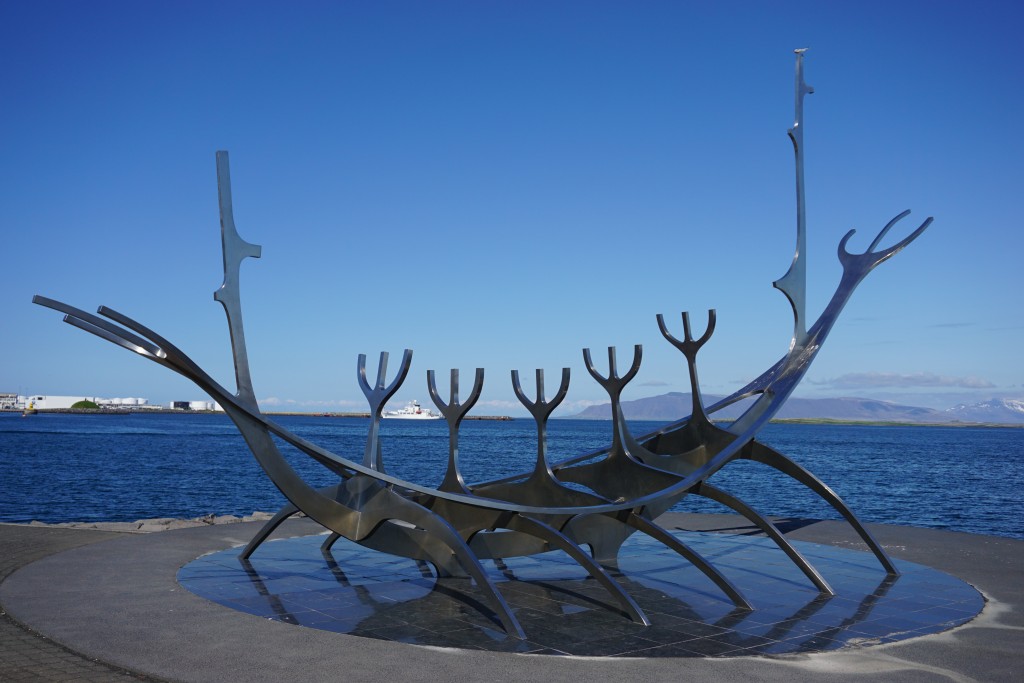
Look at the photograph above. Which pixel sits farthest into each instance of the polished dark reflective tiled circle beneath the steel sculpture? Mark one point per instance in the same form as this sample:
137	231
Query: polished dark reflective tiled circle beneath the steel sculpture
360	592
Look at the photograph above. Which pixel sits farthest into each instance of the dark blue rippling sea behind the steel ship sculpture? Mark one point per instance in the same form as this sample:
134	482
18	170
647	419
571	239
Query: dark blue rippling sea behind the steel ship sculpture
58	468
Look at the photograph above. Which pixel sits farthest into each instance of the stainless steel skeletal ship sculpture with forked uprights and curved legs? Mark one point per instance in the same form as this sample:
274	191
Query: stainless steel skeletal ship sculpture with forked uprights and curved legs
618	492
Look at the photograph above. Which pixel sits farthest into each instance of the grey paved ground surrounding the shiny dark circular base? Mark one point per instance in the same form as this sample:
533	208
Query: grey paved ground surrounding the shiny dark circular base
108	608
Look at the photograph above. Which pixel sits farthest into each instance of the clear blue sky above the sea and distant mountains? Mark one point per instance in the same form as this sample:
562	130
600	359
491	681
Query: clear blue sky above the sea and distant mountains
499	185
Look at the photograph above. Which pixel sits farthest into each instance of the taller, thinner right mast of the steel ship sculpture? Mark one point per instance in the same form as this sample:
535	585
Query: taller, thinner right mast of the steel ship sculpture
794	283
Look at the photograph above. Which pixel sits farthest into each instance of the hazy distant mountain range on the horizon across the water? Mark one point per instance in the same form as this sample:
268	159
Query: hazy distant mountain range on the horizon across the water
676	405
